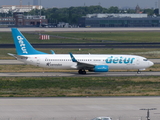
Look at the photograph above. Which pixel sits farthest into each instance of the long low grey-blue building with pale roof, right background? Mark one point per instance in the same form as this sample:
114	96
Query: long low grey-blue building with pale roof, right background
119	20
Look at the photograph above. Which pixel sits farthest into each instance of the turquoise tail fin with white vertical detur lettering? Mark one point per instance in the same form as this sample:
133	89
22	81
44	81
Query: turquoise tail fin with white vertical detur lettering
23	47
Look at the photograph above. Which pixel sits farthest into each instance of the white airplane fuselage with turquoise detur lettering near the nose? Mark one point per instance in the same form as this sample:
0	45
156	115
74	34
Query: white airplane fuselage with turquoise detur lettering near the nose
64	61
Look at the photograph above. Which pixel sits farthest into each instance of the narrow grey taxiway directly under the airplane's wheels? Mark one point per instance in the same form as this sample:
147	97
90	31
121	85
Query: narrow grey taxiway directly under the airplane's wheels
75	74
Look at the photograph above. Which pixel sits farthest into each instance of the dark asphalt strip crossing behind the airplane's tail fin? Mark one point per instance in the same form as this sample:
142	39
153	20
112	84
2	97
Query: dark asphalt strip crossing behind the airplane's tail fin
90	45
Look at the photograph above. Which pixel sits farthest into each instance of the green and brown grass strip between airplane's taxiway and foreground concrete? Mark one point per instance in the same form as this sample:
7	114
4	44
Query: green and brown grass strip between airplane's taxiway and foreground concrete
79	86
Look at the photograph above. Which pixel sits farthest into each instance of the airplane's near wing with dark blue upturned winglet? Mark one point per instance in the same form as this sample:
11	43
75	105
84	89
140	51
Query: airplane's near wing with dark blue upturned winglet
81	65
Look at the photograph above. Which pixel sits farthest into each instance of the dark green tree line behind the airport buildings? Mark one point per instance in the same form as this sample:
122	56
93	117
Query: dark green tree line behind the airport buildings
70	15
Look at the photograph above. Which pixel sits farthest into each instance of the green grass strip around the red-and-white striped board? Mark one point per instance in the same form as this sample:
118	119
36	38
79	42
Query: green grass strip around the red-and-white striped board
85	37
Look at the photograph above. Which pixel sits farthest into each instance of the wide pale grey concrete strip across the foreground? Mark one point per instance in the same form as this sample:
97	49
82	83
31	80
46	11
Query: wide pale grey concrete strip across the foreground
80	108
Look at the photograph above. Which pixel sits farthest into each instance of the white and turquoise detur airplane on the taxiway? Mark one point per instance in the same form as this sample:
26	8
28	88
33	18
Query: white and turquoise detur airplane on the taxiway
81	62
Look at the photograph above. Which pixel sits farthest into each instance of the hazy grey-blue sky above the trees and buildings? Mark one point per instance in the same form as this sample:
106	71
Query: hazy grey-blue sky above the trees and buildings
69	3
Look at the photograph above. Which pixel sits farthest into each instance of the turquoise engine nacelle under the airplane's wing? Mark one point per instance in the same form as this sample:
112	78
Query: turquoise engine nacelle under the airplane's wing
100	68
